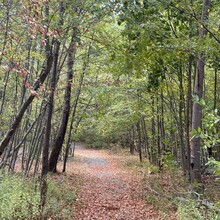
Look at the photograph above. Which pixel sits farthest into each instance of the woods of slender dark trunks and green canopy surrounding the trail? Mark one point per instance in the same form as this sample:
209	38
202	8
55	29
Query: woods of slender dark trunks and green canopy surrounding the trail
138	75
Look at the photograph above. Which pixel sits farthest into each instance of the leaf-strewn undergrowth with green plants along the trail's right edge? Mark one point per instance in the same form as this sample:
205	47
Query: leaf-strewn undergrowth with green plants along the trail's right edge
169	192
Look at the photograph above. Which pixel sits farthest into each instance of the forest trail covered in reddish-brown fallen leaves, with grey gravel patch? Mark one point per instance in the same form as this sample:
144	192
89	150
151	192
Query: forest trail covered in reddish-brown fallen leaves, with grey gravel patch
106	189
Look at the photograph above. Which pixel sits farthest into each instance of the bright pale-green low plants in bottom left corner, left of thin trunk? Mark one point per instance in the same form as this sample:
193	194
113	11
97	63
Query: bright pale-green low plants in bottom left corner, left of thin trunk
19	198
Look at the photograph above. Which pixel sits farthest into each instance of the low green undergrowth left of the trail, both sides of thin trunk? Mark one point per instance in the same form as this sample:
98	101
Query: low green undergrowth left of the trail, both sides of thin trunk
20	199
